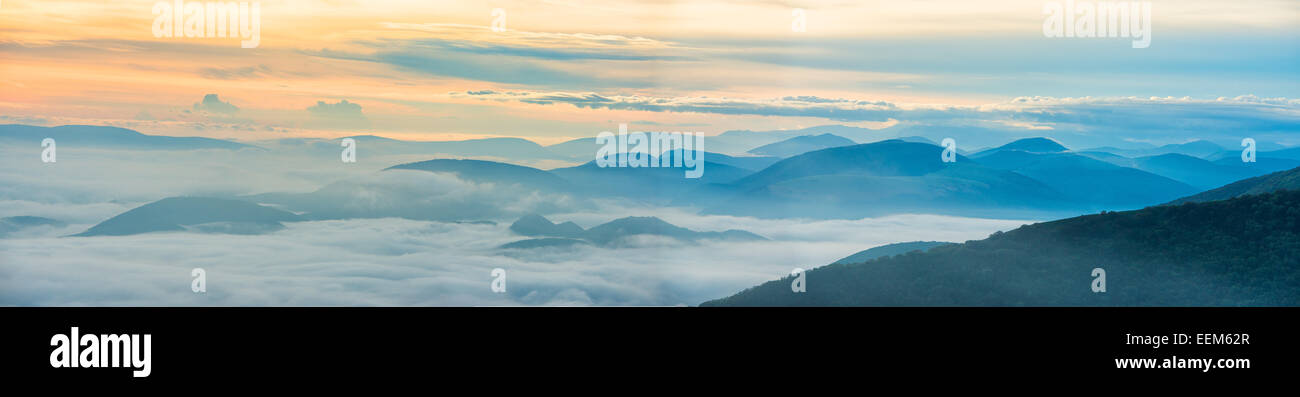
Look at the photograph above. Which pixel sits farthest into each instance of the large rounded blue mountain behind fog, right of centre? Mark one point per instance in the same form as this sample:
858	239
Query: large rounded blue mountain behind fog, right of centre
879	179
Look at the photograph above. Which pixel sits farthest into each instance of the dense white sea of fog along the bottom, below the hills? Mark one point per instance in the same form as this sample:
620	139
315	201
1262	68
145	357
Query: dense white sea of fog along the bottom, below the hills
396	262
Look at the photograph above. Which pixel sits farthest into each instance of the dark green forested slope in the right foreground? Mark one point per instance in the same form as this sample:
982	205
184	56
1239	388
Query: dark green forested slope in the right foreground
1243	252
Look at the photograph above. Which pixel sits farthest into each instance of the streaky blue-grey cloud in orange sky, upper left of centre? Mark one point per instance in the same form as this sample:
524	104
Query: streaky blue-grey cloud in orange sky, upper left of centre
513	57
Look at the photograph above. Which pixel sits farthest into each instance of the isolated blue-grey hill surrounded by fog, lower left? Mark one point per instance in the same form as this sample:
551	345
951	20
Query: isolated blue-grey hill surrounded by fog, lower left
197	214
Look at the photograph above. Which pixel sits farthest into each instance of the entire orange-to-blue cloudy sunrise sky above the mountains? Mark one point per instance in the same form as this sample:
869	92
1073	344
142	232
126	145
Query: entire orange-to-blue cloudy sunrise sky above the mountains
564	70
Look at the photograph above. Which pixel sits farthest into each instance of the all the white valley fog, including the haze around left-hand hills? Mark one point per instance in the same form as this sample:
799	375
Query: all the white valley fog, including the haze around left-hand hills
380	262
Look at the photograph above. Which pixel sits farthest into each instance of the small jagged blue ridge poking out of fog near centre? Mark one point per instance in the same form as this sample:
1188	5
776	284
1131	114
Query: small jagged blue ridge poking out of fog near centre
613	234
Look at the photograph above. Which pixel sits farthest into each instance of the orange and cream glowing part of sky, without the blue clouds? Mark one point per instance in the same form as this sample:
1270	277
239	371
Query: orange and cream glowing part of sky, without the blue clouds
99	63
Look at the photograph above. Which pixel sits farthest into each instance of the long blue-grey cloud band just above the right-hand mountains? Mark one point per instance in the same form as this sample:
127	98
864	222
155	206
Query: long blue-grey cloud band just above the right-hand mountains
1080	120
